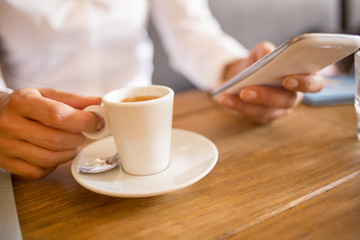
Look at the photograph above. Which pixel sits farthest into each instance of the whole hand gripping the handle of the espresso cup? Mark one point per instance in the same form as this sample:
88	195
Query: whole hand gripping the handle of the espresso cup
41	129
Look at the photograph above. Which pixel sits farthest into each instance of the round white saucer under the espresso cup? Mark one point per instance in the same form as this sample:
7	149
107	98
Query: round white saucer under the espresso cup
193	156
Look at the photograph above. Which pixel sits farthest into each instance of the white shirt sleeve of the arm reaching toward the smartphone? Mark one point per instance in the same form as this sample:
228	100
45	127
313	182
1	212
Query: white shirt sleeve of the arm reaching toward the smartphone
197	46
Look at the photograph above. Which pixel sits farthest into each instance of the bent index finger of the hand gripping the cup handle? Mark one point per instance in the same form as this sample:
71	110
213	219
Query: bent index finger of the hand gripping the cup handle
53	113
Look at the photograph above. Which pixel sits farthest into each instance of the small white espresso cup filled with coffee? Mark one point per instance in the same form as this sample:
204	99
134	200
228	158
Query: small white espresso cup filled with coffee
141	129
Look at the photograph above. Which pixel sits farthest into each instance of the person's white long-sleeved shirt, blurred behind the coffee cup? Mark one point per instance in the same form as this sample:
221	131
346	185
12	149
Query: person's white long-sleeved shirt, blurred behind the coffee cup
93	46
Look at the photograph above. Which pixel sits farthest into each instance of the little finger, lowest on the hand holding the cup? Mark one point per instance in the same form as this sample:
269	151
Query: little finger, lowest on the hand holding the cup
24	168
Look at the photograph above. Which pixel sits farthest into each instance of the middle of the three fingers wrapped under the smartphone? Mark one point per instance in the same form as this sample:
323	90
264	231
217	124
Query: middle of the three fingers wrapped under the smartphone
269	96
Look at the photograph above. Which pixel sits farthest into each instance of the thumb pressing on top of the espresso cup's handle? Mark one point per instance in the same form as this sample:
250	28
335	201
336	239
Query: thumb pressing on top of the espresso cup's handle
76	101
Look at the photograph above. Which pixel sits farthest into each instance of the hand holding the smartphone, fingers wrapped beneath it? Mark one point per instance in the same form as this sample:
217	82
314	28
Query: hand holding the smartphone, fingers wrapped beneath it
264	104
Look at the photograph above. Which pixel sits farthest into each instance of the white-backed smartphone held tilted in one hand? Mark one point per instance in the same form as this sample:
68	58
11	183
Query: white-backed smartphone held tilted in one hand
306	53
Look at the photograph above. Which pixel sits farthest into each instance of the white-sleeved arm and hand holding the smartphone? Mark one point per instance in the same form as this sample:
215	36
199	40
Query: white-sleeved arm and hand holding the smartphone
200	50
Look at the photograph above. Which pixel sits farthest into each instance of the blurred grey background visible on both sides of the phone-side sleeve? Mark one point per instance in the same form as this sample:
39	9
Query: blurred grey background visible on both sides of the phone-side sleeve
254	21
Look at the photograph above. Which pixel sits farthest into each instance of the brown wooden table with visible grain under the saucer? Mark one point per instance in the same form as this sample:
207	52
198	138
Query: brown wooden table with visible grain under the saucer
296	178
